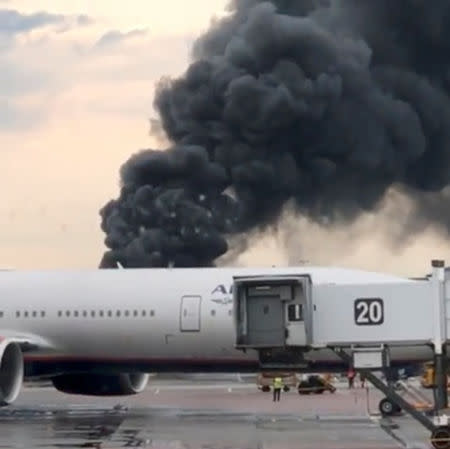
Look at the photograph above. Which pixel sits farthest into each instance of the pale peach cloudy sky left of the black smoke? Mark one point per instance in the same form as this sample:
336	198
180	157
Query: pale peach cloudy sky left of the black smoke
76	89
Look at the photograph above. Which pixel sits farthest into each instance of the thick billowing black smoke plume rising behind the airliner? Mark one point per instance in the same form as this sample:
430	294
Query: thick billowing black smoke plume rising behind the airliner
324	103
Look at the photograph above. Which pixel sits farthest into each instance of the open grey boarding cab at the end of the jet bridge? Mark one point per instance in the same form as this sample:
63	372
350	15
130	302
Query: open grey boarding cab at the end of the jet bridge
273	316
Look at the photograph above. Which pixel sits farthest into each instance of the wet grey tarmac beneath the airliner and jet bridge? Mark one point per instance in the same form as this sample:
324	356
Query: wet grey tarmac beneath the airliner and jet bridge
206	413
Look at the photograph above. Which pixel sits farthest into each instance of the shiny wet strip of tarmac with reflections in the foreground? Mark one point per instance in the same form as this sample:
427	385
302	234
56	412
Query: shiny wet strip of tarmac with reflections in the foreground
185	429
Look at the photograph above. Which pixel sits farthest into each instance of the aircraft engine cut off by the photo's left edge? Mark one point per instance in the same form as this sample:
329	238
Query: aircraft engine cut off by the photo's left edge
11	371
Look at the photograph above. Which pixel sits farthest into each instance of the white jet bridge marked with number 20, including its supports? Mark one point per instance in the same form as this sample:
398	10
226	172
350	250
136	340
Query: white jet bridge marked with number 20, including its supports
283	317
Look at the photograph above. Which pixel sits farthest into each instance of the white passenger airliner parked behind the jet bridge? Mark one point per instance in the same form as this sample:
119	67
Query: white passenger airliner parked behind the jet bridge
100	332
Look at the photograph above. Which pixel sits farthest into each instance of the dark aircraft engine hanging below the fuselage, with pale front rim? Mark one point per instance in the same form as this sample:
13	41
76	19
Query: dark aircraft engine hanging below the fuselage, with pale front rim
101	384
